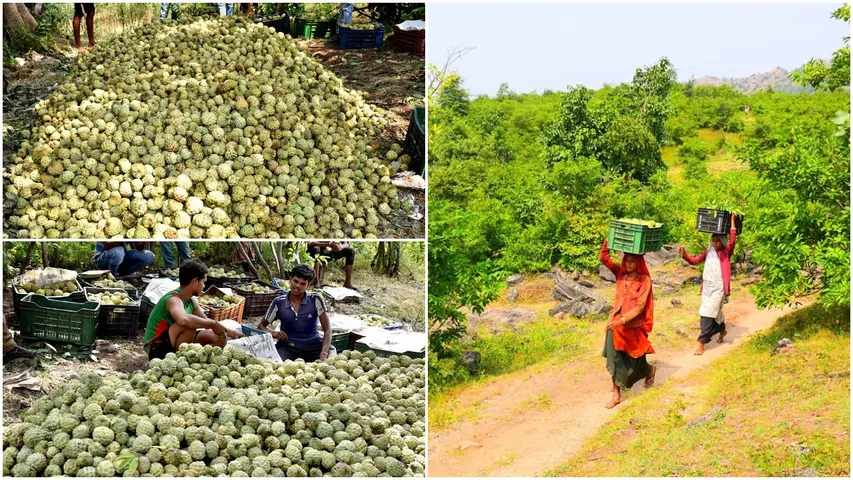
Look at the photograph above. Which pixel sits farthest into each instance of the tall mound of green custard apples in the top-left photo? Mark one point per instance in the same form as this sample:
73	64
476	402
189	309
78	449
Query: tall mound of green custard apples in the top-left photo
208	128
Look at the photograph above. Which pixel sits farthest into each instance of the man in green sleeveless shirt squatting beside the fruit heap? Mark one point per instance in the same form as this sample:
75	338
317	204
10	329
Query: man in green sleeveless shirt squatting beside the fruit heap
177	317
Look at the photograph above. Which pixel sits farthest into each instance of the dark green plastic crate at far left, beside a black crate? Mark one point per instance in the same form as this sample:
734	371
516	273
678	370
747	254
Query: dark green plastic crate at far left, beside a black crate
59	321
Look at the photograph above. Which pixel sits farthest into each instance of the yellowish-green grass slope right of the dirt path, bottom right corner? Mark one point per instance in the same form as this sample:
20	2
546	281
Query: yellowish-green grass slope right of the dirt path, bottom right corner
777	415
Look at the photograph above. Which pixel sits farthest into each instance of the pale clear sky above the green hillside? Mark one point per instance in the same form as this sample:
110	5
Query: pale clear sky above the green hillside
550	46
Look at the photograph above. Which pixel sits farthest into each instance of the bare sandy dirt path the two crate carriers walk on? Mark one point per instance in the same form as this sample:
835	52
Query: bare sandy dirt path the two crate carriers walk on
517	437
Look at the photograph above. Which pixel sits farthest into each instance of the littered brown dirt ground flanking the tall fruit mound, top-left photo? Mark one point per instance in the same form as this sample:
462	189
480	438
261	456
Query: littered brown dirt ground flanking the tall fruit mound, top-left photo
391	80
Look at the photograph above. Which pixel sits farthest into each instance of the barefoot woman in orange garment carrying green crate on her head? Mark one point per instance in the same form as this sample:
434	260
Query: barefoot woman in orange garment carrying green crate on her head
629	324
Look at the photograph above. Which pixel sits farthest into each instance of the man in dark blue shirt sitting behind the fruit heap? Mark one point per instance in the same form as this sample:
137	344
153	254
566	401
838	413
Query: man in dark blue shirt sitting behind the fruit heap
300	313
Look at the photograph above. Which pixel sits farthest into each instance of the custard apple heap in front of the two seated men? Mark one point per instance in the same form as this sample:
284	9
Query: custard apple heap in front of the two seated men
209	411
